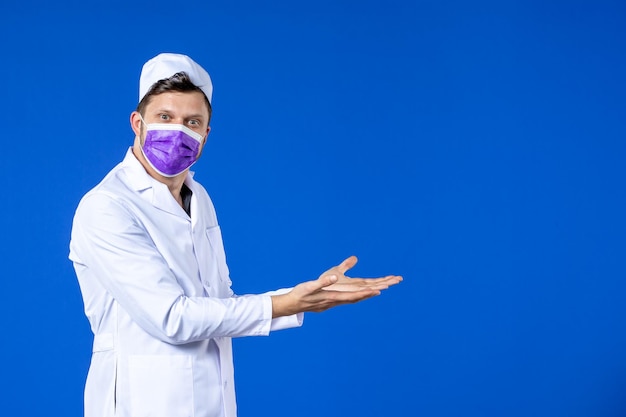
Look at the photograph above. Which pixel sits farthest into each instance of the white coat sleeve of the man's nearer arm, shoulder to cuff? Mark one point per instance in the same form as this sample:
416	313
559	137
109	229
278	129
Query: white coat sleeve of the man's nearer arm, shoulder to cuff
110	246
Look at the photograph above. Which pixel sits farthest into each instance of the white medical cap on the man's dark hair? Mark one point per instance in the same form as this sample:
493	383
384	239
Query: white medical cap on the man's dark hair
165	65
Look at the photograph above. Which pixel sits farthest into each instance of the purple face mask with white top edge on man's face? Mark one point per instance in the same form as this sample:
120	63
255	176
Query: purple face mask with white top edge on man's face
170	148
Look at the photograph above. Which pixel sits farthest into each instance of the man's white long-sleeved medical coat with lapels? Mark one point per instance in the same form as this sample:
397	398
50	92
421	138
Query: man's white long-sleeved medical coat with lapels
158	296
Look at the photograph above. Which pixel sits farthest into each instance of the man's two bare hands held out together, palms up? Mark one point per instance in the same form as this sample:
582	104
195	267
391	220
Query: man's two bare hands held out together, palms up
331	289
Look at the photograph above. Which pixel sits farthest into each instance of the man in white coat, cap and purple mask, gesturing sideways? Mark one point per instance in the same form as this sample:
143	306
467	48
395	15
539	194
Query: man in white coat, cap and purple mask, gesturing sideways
148	254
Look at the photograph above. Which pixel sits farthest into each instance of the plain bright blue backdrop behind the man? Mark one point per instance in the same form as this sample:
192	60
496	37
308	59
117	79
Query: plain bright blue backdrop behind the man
476	148
